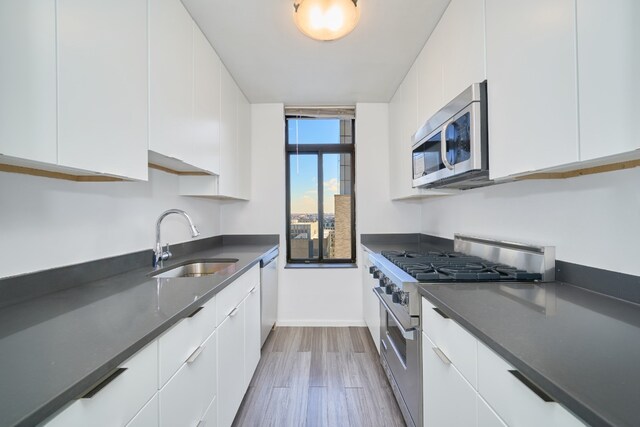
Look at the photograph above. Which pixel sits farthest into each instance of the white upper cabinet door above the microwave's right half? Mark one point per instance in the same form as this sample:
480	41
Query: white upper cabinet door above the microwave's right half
463	55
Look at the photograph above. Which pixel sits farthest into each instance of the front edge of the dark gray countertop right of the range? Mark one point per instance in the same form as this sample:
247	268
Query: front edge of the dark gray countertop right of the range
563	397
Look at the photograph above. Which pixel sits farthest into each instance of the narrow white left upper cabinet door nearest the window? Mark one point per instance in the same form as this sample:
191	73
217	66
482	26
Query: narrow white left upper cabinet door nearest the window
243	164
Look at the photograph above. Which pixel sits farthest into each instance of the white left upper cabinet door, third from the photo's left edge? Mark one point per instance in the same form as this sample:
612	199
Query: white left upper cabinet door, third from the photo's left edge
171	80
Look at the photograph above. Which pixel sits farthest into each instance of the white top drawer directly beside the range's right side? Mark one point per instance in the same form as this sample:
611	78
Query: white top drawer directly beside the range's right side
455	342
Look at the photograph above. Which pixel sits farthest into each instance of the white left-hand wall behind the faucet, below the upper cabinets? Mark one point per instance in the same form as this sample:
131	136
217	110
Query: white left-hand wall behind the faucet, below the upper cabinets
47	223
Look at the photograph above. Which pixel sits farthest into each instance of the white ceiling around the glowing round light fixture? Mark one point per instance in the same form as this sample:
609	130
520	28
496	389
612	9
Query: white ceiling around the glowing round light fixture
272	61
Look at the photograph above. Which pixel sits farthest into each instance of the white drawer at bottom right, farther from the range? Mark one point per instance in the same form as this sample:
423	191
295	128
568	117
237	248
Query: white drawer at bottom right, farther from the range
516	403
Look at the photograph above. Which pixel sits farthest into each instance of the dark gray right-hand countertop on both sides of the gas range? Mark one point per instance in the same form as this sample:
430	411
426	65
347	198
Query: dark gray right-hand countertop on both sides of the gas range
581	347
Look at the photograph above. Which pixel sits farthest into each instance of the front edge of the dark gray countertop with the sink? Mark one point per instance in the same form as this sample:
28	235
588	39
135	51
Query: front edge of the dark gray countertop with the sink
68	395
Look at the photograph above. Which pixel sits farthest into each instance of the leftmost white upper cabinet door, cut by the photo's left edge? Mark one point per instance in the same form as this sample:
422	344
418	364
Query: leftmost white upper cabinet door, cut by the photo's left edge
28	79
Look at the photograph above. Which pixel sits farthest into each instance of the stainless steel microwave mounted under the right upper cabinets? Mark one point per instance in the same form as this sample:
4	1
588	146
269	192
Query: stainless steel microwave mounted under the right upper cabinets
450	149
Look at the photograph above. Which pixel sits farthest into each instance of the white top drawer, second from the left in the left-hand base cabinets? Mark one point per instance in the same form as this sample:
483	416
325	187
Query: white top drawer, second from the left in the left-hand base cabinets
179	342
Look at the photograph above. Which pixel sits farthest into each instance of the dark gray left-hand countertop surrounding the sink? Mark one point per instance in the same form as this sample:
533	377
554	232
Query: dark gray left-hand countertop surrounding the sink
54	347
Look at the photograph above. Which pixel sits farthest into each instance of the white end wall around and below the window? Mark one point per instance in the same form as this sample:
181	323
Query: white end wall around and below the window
319	297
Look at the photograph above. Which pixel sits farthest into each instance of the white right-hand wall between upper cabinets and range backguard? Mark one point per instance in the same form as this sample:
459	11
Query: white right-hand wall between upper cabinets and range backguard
592	220
